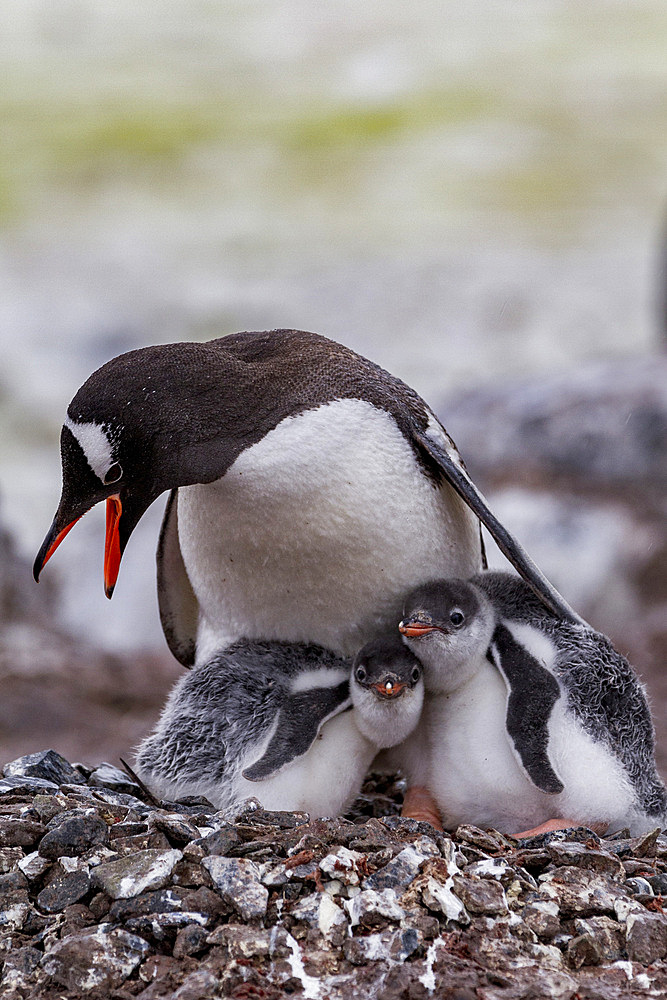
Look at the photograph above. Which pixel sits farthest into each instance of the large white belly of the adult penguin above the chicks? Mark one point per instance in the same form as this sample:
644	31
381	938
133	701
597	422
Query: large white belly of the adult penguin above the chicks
315	533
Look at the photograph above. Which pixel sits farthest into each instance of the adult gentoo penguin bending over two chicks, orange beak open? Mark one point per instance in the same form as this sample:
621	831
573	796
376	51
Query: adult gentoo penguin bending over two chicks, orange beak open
309	489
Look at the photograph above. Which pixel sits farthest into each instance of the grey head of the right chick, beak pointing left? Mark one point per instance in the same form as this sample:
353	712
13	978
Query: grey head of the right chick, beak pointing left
448	625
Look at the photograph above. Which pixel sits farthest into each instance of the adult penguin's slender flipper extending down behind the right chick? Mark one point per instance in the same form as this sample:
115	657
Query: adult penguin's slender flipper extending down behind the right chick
456	475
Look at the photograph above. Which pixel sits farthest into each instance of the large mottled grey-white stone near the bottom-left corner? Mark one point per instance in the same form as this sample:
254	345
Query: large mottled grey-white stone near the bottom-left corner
101	958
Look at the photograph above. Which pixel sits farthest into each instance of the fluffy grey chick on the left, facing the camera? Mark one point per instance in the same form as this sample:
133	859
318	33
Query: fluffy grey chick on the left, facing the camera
269	720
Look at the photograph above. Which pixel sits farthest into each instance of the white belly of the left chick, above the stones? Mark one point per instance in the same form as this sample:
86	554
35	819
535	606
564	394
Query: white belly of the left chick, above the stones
325	780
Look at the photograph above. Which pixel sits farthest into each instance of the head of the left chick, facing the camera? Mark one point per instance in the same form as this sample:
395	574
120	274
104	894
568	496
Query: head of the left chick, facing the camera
387	691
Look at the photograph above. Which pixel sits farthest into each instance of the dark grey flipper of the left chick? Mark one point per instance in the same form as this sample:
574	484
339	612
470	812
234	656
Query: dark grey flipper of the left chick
299	722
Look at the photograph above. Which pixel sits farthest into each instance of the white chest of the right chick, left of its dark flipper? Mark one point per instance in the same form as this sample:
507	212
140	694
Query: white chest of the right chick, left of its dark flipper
474	773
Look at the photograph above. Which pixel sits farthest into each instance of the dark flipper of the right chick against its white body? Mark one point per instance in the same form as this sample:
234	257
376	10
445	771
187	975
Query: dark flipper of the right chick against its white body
532	693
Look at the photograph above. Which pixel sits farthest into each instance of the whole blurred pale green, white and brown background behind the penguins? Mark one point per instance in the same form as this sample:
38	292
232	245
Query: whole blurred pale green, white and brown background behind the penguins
473	196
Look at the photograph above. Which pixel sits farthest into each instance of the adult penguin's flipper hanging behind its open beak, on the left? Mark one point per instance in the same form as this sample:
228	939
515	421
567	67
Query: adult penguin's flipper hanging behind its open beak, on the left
179	610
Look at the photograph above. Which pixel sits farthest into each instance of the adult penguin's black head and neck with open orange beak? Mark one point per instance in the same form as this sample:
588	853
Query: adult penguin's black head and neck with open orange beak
147	421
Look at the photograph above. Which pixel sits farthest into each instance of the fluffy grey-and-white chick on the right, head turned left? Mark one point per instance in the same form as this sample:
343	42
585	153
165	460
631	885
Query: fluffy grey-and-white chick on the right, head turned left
529	718
